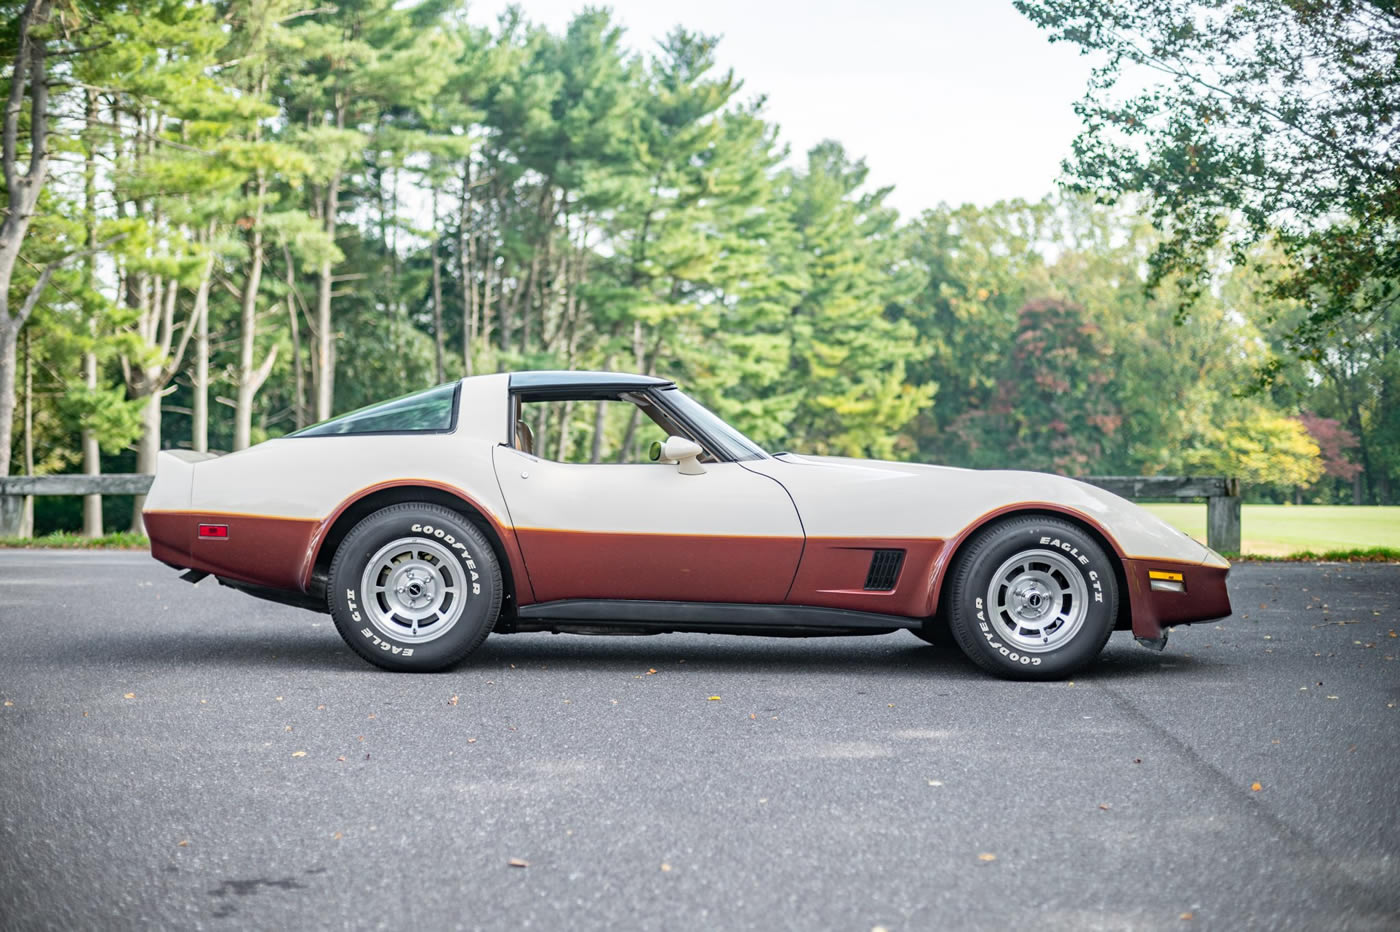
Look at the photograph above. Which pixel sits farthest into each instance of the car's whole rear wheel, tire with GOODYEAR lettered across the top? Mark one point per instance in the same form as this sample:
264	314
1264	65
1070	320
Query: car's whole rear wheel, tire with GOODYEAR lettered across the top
415	587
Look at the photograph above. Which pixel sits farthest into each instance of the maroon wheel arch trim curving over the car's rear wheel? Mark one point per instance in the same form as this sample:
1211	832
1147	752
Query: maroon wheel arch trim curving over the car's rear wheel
367	502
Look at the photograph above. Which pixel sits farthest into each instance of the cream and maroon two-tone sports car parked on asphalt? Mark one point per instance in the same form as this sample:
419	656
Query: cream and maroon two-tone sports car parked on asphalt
428	523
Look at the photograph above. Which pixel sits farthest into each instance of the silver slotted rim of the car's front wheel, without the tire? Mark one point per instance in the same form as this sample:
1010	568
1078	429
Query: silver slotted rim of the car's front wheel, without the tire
1038	601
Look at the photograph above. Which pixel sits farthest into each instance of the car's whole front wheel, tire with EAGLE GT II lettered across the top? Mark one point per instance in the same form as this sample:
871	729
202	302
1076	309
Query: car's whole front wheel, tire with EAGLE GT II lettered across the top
1032	598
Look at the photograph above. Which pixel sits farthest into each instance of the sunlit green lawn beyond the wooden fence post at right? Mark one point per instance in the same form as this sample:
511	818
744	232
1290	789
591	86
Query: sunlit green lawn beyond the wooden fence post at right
1277	531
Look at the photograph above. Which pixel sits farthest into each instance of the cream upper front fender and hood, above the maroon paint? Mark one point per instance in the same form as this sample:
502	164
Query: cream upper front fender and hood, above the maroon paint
839	496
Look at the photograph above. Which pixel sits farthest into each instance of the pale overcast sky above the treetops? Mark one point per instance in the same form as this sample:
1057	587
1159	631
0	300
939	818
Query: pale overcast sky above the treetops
947	100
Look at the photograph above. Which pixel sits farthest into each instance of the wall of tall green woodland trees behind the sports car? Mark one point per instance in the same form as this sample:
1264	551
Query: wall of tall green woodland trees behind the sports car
517	198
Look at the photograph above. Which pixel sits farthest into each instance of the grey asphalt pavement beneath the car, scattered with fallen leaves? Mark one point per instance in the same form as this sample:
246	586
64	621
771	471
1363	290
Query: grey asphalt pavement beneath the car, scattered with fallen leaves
178	756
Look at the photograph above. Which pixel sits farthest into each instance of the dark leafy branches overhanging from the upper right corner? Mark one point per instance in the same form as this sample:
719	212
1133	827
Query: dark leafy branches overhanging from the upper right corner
1244	124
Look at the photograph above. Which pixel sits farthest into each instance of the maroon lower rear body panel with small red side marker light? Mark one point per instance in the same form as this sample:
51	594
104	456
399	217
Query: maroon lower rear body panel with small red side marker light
255	549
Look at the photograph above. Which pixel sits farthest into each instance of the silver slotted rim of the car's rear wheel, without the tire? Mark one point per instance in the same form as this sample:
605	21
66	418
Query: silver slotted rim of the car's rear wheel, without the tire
414	590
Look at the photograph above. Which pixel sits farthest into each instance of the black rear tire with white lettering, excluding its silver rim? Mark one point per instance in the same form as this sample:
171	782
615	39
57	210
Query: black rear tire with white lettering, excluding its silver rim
477	565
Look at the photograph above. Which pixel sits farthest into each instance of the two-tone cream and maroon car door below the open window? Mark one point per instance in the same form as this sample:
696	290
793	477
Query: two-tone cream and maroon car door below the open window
646	531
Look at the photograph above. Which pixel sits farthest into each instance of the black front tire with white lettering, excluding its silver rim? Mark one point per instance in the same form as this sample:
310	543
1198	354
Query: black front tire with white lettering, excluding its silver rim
971	616
